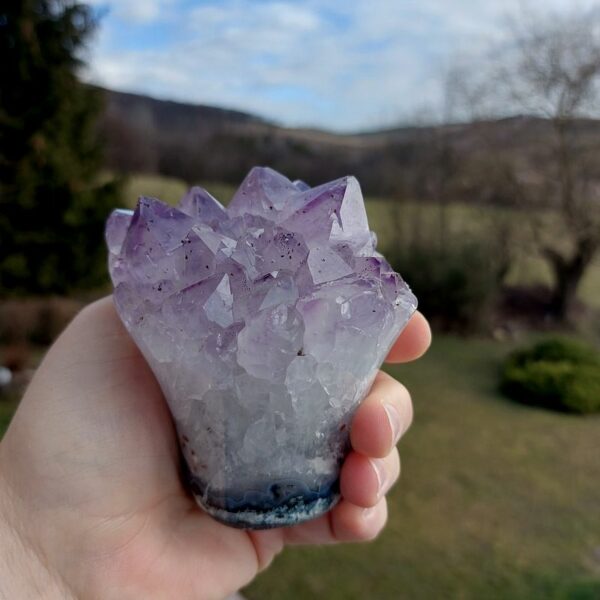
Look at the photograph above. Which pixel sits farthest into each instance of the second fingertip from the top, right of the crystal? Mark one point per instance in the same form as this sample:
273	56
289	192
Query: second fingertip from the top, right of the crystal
382	418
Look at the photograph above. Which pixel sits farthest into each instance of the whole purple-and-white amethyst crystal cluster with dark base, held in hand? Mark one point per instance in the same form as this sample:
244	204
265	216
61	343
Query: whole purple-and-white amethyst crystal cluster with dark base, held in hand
265	325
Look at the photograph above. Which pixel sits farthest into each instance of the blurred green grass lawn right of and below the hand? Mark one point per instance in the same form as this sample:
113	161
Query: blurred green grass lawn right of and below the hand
496	500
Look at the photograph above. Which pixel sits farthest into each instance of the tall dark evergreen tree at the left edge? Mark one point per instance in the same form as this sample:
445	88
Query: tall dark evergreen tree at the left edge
53	202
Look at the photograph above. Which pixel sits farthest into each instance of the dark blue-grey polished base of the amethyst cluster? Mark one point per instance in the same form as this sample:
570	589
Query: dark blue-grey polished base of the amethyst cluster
285	502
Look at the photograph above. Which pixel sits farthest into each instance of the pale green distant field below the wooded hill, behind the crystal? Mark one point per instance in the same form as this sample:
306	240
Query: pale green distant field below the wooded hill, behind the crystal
389	219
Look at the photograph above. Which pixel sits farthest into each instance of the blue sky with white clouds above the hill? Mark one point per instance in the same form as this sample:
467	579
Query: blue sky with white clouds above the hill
342	65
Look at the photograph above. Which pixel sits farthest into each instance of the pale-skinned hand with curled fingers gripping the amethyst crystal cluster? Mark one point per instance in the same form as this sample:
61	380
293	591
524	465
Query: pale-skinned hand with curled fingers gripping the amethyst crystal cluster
91	503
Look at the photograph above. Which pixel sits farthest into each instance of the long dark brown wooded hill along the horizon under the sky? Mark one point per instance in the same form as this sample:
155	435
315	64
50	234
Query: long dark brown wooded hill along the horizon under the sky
195	142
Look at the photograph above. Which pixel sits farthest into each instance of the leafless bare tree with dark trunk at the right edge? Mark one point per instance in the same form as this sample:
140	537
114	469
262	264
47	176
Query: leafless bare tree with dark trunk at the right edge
550	68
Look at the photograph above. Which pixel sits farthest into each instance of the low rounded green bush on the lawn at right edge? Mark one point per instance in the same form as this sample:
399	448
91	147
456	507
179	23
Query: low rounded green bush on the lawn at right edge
558	374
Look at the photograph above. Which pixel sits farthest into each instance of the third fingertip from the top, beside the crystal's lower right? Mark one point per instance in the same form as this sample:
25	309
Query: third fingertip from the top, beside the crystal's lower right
365	481
